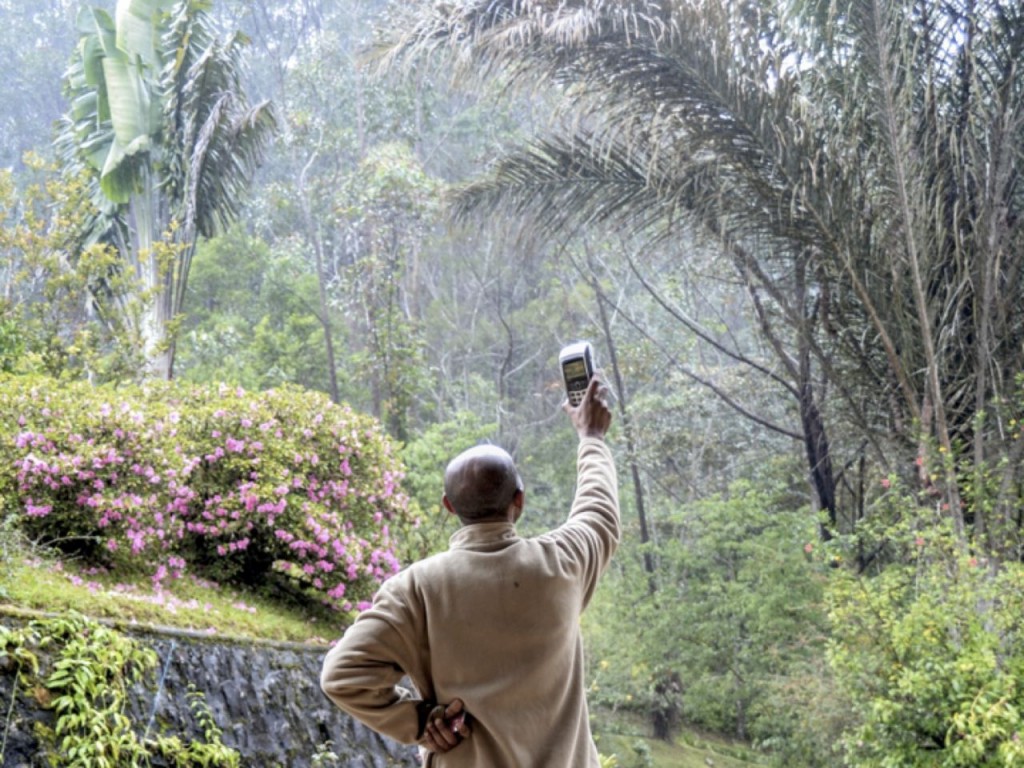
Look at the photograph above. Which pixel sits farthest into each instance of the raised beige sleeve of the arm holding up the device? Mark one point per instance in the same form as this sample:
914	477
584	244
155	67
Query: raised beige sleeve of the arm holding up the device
592	533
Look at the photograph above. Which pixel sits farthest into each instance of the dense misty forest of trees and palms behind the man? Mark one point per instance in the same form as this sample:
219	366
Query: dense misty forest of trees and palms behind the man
794	233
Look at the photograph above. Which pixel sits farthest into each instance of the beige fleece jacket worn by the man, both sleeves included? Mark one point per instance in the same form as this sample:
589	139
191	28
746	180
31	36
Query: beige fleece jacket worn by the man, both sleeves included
494	621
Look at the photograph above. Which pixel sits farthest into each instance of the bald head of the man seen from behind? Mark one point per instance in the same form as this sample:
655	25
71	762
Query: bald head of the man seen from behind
482	484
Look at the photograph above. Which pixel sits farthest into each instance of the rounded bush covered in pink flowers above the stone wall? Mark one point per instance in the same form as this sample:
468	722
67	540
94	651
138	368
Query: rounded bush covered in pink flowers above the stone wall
280	488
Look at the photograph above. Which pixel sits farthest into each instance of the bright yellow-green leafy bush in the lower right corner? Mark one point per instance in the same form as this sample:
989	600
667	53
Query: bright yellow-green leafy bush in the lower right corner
930	653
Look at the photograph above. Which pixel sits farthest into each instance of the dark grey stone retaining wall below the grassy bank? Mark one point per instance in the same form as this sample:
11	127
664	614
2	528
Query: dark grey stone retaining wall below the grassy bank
265	697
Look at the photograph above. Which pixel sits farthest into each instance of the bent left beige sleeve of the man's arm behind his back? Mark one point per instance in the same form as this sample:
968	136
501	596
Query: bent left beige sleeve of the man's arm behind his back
362	672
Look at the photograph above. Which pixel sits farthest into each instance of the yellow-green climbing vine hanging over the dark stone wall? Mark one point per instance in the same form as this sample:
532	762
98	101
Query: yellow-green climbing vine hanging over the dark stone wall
93	670
